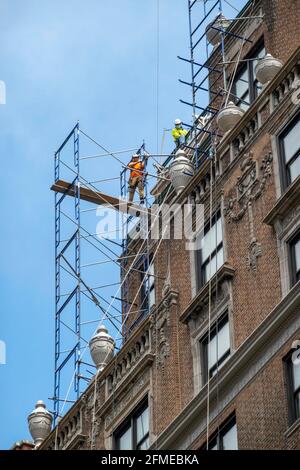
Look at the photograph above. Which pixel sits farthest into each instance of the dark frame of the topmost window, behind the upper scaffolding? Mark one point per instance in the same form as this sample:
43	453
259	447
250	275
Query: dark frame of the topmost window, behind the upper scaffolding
252	81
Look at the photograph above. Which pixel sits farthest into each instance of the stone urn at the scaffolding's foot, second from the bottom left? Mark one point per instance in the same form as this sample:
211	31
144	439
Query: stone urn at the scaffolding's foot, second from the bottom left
102	348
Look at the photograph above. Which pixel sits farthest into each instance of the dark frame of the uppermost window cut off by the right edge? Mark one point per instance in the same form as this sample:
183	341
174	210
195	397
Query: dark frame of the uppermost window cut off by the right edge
285	176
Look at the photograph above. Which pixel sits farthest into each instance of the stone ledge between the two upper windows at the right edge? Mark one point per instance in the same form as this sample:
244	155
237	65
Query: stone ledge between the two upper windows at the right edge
287	201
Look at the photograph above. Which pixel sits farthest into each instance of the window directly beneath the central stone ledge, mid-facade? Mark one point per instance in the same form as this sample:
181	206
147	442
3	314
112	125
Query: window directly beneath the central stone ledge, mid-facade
215	348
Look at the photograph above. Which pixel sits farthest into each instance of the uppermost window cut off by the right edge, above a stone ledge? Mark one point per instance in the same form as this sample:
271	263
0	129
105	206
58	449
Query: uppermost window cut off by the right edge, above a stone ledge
290	150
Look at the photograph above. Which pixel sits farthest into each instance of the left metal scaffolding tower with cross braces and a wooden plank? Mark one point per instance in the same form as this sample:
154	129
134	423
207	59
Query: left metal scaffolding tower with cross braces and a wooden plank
75	243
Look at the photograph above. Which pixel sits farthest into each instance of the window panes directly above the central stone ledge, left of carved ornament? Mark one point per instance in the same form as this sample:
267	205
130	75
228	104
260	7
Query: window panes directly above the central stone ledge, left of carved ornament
210	256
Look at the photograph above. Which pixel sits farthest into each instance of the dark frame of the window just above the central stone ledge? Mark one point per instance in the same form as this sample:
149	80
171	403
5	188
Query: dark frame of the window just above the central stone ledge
200	264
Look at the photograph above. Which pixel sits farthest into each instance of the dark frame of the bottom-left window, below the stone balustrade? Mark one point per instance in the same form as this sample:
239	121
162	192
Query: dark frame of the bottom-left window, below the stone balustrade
130	423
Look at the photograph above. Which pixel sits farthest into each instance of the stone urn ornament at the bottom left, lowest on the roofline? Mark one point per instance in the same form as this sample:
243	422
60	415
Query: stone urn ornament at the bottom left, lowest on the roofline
40	423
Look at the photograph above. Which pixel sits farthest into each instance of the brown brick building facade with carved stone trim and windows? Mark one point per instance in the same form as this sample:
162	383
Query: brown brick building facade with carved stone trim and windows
154	392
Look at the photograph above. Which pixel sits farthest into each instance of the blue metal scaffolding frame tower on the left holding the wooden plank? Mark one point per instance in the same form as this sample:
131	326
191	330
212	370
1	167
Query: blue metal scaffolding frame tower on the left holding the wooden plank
68	262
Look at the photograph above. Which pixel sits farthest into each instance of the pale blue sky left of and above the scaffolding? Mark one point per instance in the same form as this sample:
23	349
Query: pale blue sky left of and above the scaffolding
63	61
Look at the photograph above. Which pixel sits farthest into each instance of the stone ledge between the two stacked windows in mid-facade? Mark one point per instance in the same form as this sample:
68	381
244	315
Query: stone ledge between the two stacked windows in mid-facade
225	272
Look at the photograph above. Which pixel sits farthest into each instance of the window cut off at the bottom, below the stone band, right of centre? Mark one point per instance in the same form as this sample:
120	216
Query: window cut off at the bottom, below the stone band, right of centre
225	438
